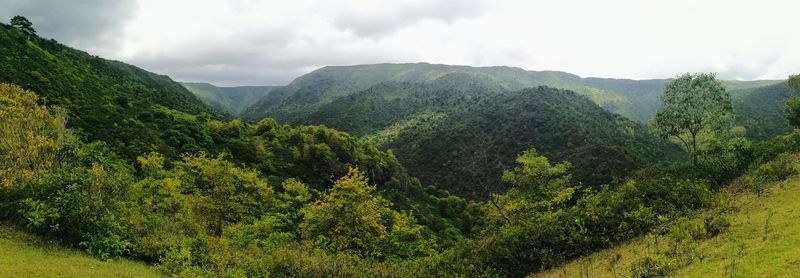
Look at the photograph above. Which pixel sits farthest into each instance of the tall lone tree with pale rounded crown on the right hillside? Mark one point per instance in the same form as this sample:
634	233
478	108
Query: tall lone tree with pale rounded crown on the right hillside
695	107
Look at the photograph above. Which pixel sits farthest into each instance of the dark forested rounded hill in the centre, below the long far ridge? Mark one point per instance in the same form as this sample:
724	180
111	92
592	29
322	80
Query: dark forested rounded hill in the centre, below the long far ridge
458	129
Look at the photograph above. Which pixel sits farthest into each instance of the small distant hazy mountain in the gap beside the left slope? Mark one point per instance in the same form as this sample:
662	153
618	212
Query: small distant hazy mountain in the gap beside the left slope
229	100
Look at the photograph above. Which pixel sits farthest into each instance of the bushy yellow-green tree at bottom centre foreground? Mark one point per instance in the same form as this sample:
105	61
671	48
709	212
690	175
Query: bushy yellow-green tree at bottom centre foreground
352	217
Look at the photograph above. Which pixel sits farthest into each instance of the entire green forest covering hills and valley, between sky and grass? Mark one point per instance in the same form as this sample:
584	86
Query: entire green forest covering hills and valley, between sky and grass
396	170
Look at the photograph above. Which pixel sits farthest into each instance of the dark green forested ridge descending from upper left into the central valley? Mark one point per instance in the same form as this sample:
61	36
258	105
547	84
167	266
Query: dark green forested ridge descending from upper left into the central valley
135	112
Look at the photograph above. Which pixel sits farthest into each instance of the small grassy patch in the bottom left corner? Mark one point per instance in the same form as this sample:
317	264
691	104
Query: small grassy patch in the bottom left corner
25	255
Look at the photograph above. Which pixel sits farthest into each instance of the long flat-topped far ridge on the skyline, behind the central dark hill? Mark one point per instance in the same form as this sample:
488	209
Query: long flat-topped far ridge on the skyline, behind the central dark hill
322	86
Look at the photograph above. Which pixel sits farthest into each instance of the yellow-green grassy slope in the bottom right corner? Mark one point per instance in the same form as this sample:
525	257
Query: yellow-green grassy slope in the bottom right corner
760	242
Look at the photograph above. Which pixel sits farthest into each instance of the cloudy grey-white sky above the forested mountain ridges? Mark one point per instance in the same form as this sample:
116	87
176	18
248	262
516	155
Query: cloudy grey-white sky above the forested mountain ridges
251	42
